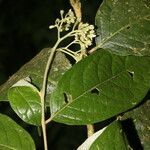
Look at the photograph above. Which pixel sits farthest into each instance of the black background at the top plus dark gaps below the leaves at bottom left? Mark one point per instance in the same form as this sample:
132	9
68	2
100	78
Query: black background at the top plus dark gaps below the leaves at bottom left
23	33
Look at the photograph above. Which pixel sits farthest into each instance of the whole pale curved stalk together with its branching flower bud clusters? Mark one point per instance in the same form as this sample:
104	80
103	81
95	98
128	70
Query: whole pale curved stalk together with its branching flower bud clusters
83	34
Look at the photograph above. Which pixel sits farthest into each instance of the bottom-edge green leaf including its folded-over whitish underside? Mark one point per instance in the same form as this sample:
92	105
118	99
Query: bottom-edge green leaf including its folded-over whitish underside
103	139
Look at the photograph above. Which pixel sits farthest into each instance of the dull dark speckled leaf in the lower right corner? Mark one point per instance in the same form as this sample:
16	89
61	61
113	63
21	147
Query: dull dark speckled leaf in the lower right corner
141	119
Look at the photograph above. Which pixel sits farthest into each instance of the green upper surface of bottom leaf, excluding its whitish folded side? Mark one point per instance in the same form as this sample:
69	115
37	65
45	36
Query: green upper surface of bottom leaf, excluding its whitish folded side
112	138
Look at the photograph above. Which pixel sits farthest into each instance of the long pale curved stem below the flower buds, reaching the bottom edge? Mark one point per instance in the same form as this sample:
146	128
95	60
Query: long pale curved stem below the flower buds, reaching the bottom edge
43	93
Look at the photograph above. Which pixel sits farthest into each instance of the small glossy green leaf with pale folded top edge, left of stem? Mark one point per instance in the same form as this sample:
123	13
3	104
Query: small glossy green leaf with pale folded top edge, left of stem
25	101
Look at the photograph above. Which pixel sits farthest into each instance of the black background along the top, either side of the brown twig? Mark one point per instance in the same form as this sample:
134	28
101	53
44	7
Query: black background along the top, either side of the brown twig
24	29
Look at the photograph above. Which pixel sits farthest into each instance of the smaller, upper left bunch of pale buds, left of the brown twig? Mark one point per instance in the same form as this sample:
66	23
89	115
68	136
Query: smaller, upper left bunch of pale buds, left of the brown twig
65	22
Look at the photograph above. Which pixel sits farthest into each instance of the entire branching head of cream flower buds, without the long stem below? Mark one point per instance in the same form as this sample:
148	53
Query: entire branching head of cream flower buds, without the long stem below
83	34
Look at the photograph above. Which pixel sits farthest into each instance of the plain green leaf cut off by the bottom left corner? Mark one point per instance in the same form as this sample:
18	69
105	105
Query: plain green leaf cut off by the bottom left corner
14	137
